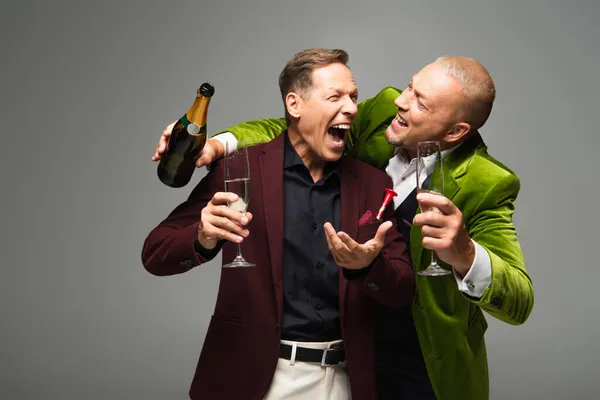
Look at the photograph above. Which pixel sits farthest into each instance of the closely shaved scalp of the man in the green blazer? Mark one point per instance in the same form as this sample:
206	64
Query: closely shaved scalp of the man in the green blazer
477	84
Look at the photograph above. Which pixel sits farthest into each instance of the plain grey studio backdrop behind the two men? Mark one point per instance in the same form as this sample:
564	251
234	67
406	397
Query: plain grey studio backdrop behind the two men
88	86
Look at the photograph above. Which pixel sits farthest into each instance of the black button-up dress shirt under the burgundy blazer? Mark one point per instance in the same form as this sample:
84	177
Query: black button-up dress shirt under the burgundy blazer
310	275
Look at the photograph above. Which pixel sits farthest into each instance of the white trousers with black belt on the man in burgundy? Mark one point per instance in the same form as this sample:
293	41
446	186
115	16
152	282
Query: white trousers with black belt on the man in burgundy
298	380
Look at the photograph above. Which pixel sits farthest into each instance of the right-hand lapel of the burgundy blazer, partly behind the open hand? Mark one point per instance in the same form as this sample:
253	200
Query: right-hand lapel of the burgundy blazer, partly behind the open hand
349	213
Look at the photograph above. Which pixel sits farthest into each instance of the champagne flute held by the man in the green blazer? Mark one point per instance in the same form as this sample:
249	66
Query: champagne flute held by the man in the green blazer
430	179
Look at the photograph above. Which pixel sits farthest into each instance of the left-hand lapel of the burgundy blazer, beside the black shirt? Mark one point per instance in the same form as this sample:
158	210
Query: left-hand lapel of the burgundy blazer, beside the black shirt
271	173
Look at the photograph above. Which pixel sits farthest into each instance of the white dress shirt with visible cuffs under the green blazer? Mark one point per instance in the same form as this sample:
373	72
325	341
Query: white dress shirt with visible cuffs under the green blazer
404	173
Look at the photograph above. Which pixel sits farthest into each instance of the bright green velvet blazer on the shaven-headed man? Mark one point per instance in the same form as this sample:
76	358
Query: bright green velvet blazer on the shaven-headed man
450	325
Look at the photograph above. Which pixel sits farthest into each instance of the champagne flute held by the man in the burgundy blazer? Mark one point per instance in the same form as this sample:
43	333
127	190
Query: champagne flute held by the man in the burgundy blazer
237	180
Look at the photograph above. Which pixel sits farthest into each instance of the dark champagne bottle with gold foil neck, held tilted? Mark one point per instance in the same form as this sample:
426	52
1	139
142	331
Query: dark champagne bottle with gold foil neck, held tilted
187	140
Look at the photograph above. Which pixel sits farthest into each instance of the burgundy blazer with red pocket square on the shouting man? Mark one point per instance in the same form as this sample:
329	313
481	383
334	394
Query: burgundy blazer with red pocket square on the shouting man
241	347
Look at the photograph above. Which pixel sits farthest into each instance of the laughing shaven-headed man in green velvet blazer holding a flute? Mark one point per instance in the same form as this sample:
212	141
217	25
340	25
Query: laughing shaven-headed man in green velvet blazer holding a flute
436	349
